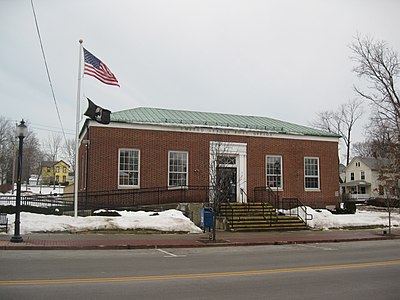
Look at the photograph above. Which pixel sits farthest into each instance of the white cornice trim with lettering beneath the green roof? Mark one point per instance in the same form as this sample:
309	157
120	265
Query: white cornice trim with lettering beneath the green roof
214	130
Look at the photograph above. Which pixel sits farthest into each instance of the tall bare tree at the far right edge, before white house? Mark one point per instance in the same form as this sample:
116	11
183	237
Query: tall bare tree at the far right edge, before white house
380	66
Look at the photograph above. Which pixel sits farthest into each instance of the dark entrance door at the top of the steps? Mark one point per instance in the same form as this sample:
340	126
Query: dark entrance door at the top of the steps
227	184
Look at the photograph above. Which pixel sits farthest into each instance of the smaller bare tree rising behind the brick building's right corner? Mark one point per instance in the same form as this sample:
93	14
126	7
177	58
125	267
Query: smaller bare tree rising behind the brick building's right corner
341	121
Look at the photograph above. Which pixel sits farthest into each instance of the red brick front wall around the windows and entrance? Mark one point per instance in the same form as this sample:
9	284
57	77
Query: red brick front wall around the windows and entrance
154	147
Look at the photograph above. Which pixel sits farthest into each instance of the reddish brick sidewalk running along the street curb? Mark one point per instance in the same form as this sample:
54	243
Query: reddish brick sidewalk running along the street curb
91	241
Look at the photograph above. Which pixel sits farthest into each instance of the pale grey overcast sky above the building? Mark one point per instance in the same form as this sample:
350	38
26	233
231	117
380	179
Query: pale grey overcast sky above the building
284	59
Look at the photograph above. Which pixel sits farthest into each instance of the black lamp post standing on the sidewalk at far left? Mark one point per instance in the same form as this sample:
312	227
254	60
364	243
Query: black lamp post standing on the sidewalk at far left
21	133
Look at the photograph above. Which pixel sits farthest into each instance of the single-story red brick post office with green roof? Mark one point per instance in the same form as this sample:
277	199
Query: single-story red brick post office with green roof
148	147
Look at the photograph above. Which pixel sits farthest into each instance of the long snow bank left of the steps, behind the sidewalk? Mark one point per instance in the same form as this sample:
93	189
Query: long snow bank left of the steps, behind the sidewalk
167	221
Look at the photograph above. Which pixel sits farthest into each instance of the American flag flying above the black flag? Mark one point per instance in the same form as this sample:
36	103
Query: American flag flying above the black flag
96	68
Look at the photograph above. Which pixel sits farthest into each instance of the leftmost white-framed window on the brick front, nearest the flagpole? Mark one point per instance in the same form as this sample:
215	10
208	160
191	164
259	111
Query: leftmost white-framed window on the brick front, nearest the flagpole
128	170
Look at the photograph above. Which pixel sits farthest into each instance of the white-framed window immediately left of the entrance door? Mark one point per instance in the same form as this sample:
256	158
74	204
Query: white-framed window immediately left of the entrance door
177	168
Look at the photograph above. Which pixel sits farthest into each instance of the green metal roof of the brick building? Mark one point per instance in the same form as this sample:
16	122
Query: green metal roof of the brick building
147	115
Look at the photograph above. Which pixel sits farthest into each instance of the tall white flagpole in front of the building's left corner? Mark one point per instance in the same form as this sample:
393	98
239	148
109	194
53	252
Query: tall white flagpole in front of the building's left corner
78	119
